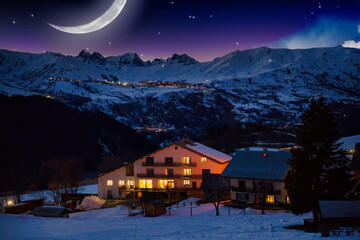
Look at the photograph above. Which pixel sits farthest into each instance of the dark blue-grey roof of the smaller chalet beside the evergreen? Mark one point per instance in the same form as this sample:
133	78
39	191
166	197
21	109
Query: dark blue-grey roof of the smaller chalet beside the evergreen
258	165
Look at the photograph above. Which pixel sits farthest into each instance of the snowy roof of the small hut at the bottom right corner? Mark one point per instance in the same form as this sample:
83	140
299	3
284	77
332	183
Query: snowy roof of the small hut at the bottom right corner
340	209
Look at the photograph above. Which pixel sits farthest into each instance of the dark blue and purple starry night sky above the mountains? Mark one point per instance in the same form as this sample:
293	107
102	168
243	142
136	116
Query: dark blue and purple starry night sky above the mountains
204	29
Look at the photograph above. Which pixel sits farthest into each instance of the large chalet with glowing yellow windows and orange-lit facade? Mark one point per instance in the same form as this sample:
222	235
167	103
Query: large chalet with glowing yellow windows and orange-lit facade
179	166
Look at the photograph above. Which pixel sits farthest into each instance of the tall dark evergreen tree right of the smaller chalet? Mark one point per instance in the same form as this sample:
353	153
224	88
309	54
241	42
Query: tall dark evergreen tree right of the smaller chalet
319	169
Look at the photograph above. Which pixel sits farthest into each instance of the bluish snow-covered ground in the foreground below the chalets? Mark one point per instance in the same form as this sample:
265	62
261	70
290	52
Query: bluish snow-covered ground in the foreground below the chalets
114	223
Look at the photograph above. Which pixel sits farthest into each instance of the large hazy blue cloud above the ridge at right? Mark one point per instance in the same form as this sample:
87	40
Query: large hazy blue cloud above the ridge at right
325	32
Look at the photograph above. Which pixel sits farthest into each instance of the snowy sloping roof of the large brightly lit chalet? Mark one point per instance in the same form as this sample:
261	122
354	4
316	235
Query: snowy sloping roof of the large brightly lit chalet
205	151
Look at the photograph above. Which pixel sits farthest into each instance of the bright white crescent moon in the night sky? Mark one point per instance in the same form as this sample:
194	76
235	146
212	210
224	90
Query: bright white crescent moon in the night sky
99	23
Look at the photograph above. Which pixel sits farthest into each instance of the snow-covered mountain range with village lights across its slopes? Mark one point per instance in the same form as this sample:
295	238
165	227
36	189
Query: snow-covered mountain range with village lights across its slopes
184	95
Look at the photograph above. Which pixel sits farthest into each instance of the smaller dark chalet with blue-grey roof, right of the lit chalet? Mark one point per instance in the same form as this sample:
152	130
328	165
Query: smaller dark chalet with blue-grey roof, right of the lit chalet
255	175
